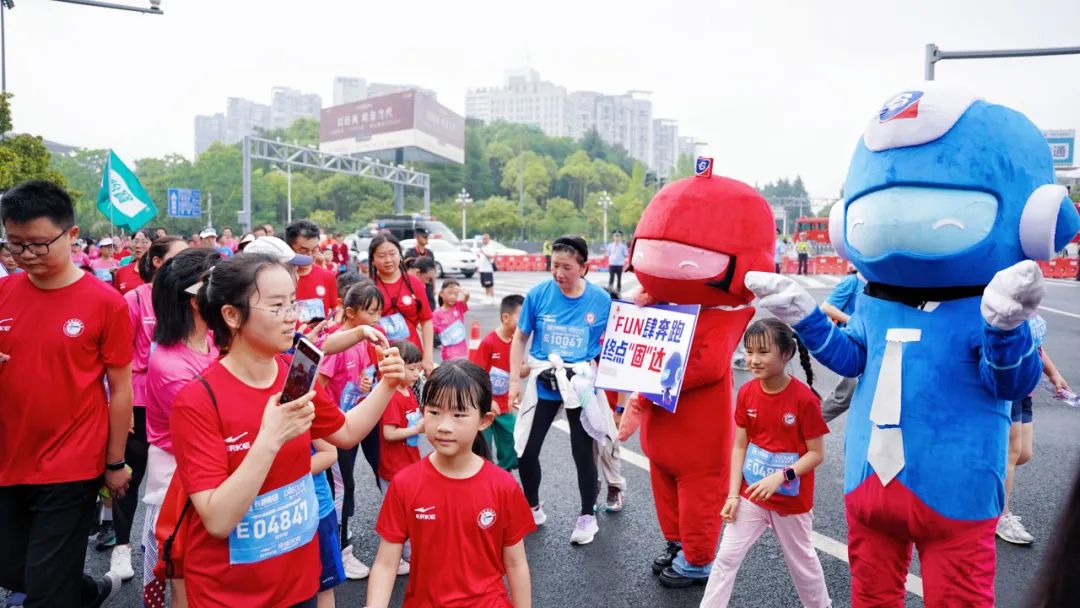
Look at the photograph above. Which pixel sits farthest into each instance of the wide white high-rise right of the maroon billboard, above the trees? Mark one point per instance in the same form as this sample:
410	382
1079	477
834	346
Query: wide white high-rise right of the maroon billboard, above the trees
524	100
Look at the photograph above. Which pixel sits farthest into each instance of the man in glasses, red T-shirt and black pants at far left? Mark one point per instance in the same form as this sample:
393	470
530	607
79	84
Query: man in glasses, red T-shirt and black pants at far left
63	335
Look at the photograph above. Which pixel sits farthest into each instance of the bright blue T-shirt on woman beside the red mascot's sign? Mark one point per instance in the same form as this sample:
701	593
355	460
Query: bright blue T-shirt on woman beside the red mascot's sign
572	328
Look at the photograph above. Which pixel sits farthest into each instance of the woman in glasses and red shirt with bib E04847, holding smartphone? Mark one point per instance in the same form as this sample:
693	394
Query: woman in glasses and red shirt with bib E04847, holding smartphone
244	456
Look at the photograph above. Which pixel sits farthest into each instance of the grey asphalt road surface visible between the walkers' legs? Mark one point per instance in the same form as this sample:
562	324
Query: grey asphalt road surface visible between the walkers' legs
614	571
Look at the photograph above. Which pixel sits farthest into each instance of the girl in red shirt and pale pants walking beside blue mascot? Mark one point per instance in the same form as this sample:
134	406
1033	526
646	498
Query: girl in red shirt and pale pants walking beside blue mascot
779	443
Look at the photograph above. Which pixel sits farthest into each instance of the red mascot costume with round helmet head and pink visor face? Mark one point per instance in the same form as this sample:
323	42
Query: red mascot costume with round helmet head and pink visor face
694	246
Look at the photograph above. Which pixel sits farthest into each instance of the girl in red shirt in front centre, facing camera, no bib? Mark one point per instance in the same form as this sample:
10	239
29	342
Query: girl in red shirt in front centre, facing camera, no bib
466	518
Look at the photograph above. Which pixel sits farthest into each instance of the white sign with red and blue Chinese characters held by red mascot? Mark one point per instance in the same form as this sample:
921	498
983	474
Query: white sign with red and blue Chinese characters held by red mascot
646	350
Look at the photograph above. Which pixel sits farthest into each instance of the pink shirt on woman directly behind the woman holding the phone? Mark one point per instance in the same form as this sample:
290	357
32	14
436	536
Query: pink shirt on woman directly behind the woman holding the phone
172	369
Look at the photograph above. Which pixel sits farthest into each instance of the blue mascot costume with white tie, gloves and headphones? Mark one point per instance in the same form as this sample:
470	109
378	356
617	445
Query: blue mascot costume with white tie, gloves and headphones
949	200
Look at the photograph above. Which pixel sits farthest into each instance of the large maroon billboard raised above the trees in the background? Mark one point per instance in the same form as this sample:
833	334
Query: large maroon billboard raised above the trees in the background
410	121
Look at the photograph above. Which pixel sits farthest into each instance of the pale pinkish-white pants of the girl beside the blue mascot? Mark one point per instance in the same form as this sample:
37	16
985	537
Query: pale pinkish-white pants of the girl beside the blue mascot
793	532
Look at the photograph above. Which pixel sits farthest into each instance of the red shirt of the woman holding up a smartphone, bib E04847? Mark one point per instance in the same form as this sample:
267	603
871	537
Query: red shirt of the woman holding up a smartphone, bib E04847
210	445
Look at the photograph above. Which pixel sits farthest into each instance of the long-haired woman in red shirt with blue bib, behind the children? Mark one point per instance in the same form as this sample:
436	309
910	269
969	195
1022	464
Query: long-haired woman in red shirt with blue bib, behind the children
407	315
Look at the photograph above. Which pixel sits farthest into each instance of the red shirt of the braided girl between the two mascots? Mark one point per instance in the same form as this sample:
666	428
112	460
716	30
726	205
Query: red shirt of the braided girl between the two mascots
781	424
